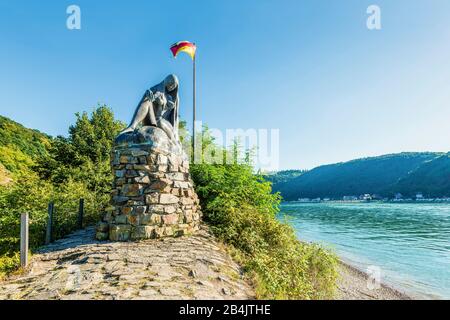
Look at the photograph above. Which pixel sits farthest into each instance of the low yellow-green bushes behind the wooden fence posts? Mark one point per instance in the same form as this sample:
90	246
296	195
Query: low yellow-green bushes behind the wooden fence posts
32	195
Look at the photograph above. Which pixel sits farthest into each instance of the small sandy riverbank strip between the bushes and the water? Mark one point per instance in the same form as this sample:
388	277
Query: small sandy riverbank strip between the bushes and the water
353	286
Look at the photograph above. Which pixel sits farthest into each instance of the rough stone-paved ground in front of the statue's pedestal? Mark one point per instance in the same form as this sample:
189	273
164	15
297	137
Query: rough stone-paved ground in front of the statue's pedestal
79	267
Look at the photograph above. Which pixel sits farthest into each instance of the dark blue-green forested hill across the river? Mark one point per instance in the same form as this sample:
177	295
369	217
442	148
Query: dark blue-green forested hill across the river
406	173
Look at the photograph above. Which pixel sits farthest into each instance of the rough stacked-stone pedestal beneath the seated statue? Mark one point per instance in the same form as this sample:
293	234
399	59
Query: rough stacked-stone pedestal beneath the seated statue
153	195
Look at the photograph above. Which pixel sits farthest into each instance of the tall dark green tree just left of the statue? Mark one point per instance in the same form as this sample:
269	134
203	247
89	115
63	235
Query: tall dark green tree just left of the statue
85	154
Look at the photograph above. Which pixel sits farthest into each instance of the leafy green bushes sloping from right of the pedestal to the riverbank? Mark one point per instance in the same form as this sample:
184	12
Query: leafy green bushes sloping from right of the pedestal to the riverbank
241	211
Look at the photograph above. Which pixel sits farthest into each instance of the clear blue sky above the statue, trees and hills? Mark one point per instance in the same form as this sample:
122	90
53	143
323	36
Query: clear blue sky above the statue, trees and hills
336	90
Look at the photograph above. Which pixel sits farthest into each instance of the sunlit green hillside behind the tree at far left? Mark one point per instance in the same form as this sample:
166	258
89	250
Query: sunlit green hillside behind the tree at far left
19	147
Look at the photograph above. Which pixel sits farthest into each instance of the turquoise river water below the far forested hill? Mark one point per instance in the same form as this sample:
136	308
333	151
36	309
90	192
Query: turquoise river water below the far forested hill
409	242
